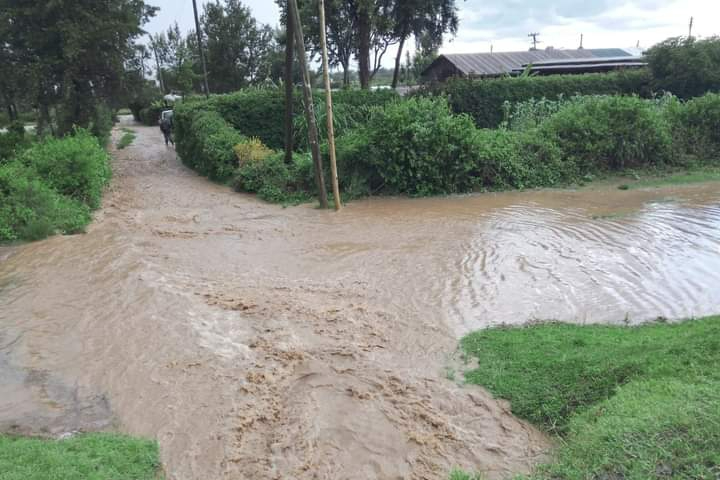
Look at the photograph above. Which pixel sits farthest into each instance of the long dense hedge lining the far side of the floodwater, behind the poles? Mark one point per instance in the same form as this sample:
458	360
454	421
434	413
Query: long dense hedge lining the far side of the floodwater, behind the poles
418	146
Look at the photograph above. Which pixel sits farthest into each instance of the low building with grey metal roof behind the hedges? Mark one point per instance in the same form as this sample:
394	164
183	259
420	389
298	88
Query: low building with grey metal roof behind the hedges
497	64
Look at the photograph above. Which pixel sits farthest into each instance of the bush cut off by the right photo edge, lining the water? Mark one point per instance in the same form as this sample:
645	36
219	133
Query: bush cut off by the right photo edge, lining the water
696	127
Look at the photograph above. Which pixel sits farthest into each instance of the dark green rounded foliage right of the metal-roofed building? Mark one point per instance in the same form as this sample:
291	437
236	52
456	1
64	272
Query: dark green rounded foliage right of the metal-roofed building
685	66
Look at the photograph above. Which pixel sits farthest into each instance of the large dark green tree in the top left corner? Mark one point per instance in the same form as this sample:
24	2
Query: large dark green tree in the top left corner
77	50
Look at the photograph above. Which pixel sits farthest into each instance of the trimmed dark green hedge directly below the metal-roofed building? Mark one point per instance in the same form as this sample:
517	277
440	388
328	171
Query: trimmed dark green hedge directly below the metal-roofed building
484	99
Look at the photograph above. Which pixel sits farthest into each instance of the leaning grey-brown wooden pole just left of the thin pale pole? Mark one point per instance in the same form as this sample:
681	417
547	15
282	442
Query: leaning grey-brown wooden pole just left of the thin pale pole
309	106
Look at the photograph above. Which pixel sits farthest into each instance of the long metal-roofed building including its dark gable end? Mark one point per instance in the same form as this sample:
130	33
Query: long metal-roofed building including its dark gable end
509	63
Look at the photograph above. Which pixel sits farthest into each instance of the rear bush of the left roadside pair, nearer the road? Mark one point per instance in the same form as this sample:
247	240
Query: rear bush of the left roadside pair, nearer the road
75	166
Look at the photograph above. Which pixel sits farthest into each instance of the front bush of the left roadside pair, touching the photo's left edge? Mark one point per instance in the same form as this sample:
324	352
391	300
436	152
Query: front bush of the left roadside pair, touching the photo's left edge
31	210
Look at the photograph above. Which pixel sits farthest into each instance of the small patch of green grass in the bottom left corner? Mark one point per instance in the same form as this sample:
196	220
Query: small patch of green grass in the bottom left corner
98	456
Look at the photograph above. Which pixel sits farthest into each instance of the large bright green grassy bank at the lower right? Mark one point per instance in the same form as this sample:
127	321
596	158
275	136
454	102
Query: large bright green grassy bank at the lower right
627	402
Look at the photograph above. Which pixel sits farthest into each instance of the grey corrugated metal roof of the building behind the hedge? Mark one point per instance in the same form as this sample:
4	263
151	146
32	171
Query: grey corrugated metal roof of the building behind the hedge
500	63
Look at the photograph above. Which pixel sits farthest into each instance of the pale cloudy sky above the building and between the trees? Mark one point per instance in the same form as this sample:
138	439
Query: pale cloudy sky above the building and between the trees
506	23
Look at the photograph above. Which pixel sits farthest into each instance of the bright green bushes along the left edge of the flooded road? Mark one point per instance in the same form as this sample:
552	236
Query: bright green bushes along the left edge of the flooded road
51	186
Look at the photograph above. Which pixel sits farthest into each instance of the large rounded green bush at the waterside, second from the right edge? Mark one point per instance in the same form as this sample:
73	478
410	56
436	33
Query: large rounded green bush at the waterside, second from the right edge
610	133
